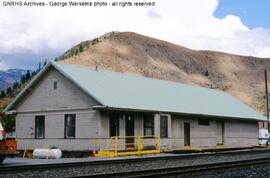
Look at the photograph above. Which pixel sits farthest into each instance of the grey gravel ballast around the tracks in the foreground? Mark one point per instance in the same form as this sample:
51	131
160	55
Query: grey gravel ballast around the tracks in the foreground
71	167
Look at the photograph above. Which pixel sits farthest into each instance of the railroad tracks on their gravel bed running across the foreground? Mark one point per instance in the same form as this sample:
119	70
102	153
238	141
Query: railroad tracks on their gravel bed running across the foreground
159	166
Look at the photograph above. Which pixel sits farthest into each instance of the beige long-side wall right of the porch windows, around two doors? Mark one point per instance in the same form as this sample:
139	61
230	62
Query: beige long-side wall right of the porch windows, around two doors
236	133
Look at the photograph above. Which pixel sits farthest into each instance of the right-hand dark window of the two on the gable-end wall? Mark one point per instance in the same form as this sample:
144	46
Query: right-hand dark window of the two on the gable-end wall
70	125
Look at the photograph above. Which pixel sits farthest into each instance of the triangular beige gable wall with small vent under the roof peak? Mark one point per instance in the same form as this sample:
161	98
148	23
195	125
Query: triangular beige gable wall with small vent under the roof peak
44	98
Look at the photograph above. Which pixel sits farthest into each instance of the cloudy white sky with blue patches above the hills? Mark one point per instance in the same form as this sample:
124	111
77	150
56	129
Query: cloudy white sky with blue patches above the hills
32	34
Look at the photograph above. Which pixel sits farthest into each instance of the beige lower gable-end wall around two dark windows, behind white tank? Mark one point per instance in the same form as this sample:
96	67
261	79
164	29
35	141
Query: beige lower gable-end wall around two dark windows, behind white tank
87	130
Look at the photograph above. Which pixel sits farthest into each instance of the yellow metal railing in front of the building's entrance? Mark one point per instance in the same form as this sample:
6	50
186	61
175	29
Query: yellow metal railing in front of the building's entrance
130	145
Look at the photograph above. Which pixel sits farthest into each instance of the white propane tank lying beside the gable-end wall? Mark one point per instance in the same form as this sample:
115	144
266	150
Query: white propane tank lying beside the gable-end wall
47	153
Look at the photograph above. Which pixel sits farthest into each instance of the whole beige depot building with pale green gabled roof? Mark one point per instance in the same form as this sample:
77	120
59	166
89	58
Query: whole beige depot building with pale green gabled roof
77	109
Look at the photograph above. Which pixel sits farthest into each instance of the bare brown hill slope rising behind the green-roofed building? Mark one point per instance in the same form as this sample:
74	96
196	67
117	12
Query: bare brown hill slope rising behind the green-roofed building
127	52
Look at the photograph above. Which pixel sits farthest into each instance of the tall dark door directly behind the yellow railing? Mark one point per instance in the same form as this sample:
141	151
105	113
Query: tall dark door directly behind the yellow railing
129	131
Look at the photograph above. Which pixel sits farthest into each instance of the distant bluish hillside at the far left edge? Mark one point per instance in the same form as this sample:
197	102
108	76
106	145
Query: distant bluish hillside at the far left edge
7	78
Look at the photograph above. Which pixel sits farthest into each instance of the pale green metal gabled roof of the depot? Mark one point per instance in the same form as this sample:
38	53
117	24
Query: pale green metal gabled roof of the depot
122	91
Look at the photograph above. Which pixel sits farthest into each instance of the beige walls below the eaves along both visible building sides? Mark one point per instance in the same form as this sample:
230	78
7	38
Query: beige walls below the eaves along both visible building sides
92	130
